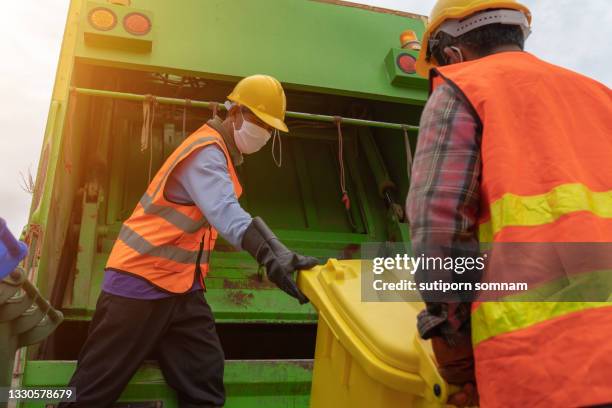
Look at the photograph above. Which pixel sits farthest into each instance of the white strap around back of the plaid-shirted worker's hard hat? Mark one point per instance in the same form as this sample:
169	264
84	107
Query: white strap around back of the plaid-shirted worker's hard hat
455	27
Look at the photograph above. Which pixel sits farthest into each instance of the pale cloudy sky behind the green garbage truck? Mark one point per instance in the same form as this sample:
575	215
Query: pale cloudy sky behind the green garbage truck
571	33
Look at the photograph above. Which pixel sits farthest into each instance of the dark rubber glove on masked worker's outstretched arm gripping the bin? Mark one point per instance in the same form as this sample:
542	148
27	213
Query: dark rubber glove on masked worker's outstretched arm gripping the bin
280	262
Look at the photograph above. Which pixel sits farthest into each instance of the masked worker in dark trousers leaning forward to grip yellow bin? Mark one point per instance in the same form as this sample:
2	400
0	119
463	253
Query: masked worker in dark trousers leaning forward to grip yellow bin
152	295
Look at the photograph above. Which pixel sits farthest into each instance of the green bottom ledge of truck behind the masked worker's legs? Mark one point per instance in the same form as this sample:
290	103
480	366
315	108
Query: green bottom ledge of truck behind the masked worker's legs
249	383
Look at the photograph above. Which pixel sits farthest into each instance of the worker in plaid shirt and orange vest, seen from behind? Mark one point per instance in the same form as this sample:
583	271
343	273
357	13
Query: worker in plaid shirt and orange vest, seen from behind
511	149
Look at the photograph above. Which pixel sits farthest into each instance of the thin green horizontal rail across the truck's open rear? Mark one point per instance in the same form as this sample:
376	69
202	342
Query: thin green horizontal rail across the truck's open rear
203	104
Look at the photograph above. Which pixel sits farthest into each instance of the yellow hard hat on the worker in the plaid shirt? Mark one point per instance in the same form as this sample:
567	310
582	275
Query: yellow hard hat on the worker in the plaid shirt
458	9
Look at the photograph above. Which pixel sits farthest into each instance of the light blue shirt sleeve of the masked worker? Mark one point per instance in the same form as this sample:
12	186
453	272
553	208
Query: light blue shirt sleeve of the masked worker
203	179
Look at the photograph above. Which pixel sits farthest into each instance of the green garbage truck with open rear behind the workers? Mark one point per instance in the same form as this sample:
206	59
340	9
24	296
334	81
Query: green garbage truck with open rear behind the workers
135	78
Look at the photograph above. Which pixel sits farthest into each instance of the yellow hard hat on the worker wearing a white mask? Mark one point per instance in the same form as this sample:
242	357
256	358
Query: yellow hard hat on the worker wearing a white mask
265	97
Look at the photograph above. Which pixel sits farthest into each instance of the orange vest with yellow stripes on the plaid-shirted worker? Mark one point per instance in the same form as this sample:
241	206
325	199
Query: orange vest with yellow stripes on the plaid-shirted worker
546	177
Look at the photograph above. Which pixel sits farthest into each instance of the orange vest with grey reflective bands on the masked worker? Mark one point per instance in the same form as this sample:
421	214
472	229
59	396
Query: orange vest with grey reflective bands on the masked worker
165	242
